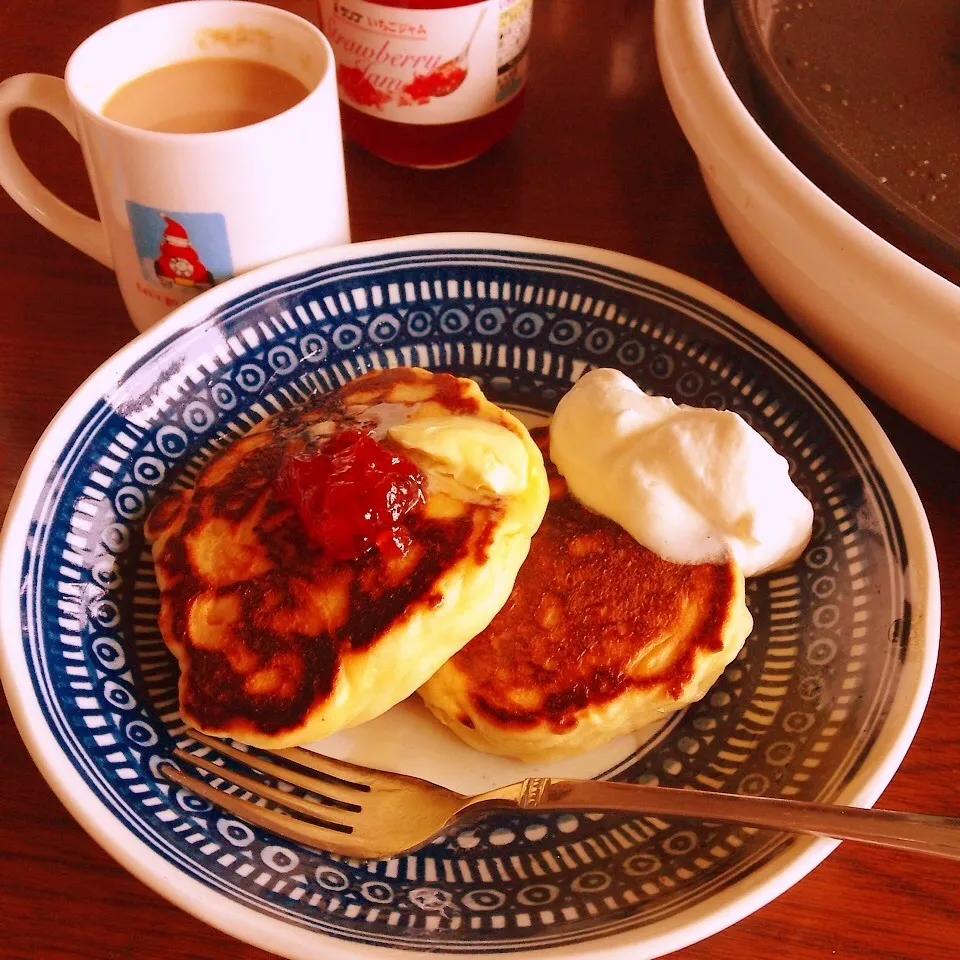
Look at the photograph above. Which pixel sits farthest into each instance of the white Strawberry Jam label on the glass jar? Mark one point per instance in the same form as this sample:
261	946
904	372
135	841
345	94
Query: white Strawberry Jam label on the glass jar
428	66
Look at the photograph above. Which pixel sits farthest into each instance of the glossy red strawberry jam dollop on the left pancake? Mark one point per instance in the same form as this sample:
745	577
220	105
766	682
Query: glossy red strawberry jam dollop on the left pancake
352	494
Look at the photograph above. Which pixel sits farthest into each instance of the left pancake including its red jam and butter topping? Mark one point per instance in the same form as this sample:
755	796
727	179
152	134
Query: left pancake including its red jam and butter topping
327	563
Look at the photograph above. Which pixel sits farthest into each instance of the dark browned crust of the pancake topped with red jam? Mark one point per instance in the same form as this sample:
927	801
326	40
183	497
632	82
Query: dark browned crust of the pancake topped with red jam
269	585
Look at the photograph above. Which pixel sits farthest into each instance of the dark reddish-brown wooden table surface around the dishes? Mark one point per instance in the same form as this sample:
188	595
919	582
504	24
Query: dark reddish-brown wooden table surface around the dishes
597	159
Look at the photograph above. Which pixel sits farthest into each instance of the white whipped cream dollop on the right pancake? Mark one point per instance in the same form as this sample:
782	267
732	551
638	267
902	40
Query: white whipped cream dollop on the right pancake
690	484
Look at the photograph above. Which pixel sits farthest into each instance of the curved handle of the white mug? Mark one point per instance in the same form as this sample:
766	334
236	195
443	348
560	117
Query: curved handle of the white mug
49	94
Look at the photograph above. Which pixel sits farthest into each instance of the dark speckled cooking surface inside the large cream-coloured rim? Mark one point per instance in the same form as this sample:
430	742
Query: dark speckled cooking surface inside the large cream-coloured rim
864	97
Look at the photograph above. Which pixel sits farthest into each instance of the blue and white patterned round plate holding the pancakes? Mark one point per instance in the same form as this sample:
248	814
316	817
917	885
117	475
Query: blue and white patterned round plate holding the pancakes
822	703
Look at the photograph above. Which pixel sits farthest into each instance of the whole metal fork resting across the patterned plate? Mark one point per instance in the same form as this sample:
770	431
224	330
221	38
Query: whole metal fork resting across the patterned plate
371	814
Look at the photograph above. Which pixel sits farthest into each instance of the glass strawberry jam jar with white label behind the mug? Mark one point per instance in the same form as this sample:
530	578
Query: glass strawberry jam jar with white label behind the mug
429	83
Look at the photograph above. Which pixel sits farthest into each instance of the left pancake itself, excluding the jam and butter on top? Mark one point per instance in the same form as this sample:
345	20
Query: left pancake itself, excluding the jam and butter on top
279	644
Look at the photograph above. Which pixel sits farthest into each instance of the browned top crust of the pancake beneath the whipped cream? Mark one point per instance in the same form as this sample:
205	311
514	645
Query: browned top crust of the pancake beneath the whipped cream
588	601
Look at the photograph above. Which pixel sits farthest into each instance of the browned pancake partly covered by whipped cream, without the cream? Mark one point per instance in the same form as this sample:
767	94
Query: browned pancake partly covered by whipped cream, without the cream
600	637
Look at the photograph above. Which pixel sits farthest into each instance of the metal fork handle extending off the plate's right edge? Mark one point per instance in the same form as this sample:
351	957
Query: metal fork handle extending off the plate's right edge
918	832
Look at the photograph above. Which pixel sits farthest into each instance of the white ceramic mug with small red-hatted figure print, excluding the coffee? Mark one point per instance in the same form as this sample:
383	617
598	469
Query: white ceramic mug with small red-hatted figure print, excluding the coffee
181	211
